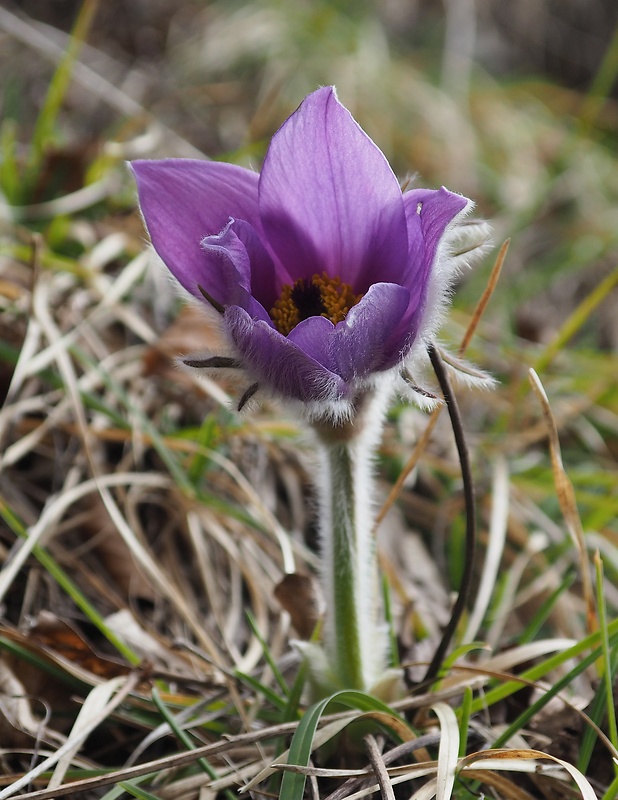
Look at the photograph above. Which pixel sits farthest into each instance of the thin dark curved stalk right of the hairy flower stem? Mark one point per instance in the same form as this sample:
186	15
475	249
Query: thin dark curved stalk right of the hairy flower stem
466	474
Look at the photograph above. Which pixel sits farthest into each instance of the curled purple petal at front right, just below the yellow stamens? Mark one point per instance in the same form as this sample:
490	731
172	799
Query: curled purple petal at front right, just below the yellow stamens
376	334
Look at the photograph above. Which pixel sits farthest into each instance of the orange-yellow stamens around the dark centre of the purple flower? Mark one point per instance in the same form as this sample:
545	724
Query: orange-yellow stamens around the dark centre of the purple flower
318	296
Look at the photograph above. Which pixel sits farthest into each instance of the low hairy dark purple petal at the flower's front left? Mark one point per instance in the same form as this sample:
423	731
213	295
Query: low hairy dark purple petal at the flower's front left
278	363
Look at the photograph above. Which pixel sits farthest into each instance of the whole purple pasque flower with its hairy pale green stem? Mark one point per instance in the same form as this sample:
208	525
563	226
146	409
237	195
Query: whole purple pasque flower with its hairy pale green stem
329	279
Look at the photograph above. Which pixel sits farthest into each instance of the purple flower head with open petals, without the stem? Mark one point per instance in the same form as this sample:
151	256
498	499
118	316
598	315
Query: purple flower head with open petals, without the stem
322	267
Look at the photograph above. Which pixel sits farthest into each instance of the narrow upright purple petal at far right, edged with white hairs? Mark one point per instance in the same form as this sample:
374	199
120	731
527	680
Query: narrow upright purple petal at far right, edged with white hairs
429	212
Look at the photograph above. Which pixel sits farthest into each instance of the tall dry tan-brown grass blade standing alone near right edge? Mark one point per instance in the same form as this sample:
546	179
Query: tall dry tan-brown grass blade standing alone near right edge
567	500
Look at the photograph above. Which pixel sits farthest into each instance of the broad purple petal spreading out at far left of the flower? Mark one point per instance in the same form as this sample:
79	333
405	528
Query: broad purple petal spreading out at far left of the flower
183	201
